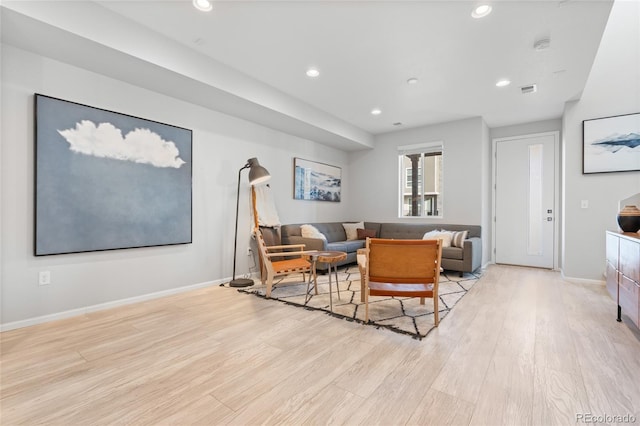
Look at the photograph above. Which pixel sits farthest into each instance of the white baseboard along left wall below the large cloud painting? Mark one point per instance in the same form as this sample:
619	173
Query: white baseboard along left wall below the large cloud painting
107	305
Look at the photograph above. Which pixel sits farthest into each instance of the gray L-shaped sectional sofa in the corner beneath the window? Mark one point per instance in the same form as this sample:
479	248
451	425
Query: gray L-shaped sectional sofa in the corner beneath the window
465	259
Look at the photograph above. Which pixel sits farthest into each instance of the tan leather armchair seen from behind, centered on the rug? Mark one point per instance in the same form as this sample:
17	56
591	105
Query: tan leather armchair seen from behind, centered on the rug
402	268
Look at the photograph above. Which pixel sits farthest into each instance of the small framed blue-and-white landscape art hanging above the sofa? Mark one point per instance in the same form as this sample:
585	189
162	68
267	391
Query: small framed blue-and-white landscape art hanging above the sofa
316	181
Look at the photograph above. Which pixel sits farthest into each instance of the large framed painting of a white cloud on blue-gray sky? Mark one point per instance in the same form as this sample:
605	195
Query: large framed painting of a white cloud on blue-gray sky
105	180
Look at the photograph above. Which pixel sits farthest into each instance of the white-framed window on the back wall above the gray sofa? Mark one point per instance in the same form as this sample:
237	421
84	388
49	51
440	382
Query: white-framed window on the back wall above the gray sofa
420	196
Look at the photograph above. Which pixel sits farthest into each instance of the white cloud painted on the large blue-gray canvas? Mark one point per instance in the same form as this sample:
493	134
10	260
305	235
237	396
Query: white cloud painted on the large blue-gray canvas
106	141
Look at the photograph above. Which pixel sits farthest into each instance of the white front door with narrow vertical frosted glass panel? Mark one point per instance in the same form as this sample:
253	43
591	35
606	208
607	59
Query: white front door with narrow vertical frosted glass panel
525	200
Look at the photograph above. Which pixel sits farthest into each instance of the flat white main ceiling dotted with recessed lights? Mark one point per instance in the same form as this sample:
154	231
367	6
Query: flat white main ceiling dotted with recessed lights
366	51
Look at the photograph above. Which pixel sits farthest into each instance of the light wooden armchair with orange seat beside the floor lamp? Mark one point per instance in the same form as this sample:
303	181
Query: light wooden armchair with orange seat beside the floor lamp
290	257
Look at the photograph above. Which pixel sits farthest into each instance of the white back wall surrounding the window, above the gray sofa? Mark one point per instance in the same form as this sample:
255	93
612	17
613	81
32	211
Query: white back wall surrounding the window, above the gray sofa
373	183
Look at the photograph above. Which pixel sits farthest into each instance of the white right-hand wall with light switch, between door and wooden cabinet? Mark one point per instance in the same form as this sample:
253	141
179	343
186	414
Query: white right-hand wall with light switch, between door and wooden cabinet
613	88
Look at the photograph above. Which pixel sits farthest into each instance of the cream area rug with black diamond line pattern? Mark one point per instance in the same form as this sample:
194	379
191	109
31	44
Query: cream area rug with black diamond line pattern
401	315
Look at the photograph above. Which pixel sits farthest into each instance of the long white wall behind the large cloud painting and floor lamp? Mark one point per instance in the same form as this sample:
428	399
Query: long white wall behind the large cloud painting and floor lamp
221	145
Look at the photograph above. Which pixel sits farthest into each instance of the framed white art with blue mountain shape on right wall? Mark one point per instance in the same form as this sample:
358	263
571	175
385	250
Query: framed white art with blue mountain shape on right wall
611	144
